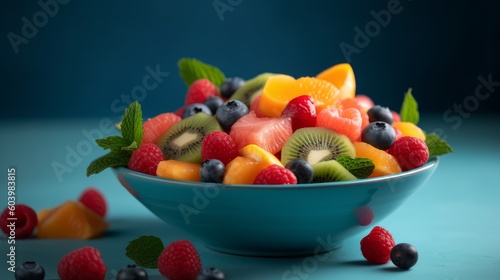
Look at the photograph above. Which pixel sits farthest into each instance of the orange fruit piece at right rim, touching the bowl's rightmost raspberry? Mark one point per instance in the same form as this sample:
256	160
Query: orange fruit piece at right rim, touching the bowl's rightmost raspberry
385	163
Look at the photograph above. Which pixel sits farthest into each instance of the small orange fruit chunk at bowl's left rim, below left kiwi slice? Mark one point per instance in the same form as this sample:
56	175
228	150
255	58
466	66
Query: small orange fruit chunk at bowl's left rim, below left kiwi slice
179	170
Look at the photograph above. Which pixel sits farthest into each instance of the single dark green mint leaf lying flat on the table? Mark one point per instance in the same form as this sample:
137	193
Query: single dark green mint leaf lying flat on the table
145	251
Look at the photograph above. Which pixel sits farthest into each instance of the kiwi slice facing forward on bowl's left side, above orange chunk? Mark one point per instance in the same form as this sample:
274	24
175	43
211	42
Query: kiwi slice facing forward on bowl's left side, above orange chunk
183	140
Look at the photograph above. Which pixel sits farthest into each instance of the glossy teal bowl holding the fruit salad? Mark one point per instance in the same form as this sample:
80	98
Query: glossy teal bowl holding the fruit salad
274	220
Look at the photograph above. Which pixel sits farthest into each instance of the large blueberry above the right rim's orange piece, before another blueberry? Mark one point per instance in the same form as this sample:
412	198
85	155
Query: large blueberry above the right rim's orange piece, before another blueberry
379	134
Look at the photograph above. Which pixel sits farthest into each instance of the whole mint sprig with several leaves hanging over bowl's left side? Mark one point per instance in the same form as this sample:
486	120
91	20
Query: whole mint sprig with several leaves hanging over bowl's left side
121	147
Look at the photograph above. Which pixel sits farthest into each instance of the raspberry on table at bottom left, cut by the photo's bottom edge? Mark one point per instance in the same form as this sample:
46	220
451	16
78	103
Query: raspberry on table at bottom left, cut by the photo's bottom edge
82	264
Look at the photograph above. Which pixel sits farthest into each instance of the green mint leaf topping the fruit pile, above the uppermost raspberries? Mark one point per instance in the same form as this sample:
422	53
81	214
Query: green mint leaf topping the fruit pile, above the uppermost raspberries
191	69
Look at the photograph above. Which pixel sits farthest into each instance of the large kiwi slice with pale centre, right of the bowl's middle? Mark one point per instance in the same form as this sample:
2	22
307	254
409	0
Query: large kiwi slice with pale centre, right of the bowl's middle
316	144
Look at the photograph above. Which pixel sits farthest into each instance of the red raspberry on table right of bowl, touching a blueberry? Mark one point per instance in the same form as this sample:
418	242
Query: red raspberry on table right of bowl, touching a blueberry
377	245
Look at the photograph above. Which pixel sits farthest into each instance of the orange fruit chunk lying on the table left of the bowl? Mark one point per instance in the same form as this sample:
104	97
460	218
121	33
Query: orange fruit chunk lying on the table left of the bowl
71	220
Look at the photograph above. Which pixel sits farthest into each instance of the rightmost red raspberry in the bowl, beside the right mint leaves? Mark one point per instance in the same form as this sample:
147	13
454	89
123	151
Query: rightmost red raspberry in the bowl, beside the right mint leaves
411	152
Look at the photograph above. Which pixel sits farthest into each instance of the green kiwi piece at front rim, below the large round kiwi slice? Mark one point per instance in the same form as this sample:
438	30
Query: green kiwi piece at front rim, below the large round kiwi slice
331	171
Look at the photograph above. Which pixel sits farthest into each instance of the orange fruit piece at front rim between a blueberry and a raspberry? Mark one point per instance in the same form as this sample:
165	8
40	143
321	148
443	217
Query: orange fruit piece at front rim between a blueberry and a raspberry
242	170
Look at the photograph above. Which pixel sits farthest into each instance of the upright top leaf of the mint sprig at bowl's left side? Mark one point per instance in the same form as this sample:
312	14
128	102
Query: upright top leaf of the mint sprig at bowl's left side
131	126
